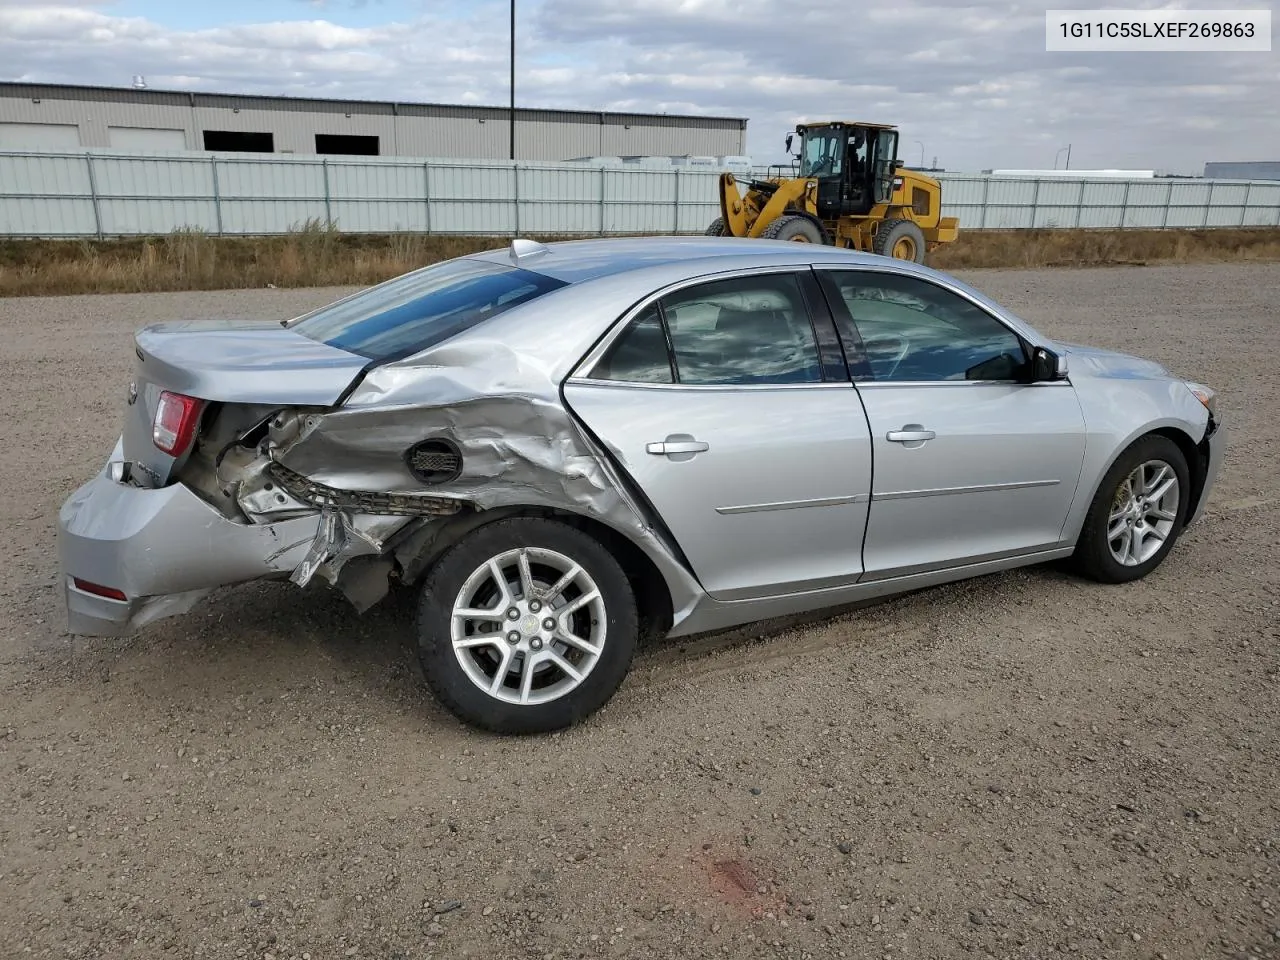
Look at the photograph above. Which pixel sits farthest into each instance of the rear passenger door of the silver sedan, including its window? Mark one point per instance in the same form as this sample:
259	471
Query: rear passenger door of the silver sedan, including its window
734	414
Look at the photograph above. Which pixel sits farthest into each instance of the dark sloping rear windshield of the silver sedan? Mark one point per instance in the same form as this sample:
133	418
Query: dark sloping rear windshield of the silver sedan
422	309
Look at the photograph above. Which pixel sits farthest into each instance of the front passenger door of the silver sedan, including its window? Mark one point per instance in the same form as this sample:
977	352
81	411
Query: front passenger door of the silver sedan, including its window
972	463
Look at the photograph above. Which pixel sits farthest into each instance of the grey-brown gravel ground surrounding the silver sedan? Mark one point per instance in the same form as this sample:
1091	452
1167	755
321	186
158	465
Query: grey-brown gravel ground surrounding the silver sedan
1018	766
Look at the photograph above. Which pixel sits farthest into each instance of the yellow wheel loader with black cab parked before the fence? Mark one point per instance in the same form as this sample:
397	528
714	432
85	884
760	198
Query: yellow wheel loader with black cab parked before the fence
852	191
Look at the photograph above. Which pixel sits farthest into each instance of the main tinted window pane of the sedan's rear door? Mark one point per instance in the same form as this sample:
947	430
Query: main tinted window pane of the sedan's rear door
744	331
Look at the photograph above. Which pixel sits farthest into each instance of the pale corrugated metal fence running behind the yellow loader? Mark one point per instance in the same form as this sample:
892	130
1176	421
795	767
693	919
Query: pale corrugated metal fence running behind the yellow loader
104	194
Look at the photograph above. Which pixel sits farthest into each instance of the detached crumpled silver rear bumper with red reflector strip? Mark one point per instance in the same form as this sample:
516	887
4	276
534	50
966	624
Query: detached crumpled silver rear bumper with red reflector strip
164	550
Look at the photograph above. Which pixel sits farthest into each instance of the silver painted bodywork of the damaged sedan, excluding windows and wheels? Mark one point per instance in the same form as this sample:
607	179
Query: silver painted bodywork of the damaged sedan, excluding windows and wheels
769	520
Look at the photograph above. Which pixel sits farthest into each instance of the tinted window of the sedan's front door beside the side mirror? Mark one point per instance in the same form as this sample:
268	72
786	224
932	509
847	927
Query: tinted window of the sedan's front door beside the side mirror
916	331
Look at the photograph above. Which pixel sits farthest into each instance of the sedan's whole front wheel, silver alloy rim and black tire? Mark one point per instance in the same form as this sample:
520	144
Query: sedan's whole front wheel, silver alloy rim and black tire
1137	514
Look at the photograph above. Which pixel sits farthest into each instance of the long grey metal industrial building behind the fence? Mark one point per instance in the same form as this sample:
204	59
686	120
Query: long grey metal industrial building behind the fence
57	117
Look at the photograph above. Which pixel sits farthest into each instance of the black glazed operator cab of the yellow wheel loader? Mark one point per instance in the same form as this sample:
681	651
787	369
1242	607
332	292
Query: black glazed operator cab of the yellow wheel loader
853	163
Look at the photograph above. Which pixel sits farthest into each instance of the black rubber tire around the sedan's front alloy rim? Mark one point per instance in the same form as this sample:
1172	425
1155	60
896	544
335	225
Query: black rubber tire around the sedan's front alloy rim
1092	557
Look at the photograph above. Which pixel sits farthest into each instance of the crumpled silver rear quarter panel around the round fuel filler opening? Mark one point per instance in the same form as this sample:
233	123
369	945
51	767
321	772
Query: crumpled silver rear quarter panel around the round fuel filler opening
501	406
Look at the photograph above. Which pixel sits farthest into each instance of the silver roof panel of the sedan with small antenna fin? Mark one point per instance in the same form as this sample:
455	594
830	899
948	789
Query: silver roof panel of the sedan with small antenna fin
577	262
